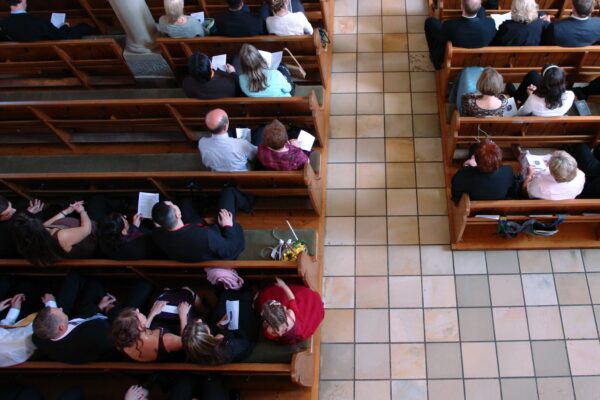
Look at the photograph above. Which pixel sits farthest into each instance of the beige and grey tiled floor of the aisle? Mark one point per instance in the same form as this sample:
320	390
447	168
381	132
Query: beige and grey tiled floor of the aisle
407	319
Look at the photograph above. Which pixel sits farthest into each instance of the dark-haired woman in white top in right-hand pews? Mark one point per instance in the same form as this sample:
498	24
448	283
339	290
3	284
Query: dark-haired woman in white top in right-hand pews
545	95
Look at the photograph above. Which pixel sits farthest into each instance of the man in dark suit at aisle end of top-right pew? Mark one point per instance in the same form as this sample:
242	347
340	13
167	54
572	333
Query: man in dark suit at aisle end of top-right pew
473	30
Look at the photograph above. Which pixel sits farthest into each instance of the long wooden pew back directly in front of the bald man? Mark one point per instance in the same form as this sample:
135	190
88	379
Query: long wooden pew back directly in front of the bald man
139	125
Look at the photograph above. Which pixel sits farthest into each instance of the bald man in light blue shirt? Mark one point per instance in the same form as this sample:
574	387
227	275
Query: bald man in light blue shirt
220	152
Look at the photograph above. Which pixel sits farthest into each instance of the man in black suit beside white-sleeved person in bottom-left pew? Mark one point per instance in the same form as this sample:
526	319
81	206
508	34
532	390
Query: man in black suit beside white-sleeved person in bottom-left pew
85	338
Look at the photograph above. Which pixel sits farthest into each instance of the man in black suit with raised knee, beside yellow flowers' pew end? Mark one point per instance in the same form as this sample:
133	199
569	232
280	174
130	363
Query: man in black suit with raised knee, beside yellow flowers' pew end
186	237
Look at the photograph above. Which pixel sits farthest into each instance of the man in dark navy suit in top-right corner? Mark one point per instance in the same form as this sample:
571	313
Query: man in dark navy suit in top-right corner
580	29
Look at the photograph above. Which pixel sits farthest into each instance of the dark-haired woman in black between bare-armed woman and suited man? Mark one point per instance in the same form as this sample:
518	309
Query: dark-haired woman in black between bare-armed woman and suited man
120	240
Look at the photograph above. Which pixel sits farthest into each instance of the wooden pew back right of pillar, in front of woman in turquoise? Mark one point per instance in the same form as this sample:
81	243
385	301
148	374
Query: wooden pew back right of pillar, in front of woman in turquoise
307	49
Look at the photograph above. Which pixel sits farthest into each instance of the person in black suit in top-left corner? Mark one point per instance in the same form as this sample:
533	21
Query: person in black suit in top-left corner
23	27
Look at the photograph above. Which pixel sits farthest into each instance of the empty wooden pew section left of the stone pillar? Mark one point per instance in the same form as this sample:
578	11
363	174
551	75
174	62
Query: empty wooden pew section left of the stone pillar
82	63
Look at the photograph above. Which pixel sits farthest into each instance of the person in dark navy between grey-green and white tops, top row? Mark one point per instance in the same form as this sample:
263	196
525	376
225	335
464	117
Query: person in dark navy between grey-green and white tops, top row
239	21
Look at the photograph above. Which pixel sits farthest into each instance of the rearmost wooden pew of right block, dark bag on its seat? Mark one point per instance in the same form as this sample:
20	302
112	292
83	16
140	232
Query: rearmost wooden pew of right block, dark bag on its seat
580	229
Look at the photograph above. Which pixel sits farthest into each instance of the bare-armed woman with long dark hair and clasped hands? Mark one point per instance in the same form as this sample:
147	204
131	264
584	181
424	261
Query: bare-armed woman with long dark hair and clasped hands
60	236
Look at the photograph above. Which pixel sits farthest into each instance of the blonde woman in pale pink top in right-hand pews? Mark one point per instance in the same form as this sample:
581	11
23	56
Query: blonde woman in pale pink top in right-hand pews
562	180
